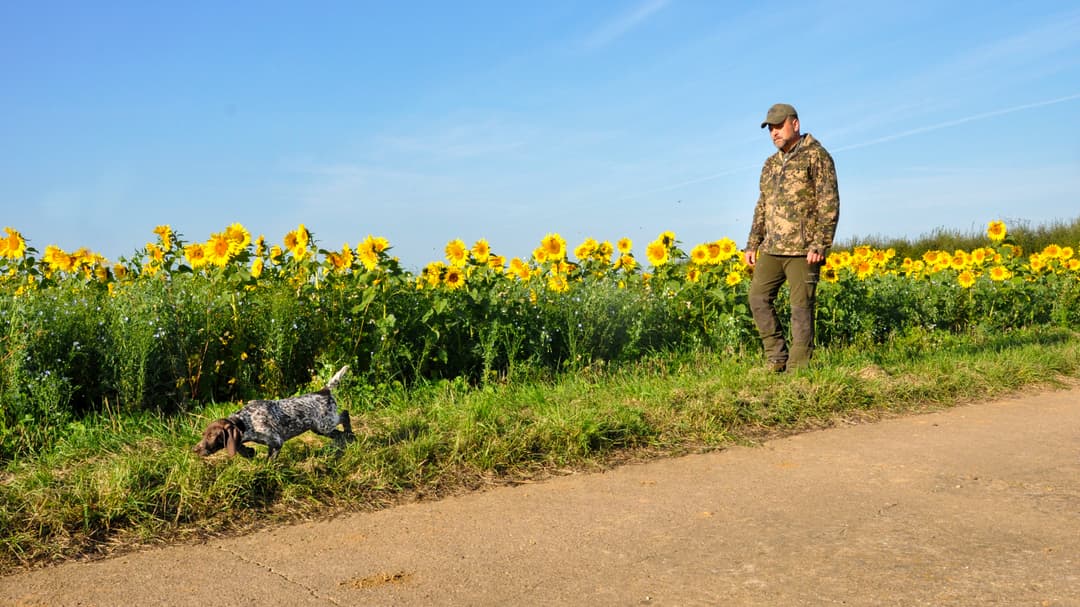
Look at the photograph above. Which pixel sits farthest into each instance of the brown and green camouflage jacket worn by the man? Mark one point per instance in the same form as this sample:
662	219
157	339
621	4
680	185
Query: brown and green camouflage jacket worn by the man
800	204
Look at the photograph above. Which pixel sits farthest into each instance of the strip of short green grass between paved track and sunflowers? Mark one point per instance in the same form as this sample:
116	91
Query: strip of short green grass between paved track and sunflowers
120	481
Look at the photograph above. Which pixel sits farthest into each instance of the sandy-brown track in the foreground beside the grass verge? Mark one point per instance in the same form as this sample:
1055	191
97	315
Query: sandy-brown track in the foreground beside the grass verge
979	505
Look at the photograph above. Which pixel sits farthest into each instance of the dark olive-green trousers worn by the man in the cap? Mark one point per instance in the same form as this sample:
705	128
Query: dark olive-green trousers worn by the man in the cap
771	273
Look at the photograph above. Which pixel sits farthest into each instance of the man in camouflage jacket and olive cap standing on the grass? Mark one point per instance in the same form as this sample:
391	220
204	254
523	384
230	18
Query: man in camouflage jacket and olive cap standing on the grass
794	224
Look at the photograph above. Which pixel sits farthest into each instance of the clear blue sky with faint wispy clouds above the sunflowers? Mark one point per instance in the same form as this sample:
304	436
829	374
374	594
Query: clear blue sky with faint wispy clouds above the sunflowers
507	120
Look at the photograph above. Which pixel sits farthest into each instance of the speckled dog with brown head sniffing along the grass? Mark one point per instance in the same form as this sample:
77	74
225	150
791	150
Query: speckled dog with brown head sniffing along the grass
273	423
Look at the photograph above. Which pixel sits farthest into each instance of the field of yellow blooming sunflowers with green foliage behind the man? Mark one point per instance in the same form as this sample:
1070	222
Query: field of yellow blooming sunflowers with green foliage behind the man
182	325
